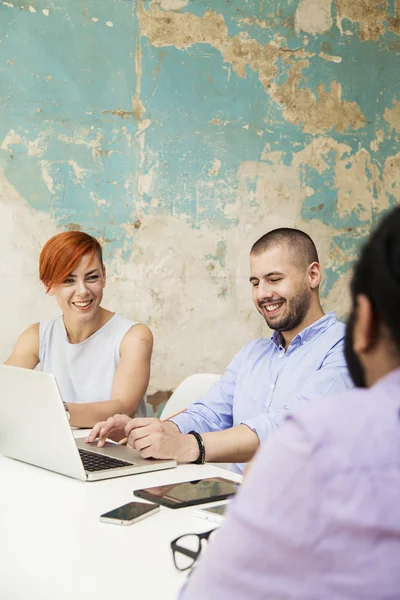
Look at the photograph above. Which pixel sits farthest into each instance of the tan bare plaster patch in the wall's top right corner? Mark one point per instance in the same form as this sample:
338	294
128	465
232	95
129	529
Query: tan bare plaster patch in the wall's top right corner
371	15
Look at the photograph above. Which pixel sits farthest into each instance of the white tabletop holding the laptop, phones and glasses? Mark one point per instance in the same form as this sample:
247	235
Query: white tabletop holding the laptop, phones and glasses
53	547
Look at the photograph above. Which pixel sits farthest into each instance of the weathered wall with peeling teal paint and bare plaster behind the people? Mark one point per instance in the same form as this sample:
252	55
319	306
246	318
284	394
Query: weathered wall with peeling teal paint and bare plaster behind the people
179	131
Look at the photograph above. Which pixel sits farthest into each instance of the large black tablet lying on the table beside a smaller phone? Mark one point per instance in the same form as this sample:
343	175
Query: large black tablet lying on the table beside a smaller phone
190	493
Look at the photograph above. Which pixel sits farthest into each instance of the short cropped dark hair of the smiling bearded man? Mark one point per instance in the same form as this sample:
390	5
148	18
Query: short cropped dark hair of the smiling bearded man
299	243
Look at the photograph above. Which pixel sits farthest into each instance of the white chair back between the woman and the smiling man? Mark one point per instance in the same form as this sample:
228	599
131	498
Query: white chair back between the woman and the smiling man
191	389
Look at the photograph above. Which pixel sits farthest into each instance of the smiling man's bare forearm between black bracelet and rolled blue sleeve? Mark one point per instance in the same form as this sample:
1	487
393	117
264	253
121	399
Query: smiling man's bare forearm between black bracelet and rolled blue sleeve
237	444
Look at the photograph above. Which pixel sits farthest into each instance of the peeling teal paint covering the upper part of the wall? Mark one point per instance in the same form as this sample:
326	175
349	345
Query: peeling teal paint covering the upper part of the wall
67	83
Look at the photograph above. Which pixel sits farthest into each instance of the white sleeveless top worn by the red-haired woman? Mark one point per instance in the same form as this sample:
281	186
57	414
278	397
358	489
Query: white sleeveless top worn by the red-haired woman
84	372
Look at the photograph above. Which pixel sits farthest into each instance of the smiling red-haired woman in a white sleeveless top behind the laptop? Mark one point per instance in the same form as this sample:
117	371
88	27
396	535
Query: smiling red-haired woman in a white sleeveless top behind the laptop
101	361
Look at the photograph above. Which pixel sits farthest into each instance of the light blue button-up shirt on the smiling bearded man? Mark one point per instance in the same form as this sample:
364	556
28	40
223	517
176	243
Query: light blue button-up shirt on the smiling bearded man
263	382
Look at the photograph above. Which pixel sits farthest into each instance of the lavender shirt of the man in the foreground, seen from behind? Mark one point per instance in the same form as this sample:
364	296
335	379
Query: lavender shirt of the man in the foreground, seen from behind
319	514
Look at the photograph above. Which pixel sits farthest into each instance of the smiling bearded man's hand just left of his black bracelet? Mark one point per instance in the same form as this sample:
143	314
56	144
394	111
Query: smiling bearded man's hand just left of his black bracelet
161	439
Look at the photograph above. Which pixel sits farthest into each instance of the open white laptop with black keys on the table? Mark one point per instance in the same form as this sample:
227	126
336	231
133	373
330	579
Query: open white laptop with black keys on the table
34	428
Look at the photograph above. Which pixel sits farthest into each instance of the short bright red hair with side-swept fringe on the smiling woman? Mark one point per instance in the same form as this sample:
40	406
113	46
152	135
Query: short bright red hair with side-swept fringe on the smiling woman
63	252
